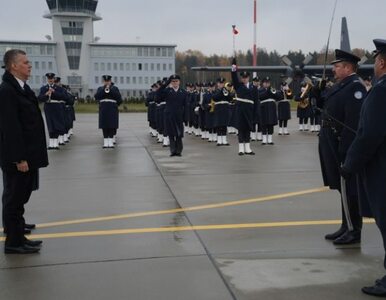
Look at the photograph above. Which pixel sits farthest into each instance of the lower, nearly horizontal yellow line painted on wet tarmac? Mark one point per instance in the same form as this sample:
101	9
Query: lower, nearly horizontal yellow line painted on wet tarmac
186	228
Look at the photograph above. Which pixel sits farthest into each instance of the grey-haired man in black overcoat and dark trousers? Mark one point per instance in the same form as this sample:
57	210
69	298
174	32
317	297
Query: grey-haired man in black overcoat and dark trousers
22	149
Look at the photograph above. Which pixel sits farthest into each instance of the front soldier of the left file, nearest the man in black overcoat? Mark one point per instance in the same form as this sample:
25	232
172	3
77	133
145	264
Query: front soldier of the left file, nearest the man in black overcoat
54	98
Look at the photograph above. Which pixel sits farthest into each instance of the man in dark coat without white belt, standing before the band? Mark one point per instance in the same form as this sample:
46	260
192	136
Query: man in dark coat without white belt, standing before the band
175	99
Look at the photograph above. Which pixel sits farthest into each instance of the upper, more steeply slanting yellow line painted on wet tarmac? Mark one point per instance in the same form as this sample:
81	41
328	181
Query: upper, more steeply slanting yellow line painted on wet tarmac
186	209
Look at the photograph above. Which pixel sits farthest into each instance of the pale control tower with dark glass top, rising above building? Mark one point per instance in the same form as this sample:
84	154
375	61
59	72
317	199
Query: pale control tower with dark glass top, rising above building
72	27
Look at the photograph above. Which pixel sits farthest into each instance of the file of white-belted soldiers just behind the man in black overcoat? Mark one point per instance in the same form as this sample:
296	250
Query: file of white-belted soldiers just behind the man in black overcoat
59	111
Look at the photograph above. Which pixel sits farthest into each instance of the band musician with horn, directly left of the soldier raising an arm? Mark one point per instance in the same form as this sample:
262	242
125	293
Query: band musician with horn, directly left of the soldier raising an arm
222	97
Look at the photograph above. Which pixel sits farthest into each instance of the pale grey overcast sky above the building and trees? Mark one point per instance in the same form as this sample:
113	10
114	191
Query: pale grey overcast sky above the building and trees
206	25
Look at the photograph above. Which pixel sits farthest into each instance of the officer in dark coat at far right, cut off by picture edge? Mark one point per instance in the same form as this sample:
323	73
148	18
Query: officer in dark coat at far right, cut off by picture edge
367	156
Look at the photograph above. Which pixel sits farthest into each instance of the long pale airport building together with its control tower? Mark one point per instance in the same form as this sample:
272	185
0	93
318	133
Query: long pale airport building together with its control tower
75	55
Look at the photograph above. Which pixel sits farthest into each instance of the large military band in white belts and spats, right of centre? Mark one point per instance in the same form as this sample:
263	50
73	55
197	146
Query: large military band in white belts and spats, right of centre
223	107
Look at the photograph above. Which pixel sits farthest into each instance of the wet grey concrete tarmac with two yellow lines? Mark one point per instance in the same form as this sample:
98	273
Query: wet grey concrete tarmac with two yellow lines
134	223
